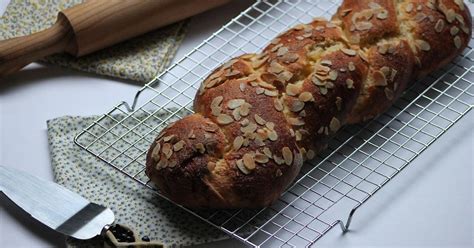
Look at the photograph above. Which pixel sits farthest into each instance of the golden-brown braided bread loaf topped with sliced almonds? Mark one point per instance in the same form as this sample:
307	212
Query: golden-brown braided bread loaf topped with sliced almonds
260	116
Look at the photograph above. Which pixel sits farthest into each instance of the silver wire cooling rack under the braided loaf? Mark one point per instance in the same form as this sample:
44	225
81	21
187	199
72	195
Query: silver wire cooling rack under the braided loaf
329	189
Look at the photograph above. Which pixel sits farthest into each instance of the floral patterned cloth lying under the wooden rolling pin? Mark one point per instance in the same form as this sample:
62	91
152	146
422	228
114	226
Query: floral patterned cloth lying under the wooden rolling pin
139	59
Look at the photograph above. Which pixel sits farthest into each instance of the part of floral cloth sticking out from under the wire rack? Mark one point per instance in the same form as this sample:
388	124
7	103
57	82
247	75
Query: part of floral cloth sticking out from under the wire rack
133	204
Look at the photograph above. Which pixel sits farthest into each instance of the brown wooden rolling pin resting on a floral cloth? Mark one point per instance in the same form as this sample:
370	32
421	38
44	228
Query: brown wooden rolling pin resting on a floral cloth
96	24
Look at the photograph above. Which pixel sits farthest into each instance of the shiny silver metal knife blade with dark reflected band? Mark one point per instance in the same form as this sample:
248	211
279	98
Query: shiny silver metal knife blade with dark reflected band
54	205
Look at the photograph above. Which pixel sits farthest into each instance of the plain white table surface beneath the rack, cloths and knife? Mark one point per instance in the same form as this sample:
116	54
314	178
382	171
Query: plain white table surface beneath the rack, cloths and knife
429	204
